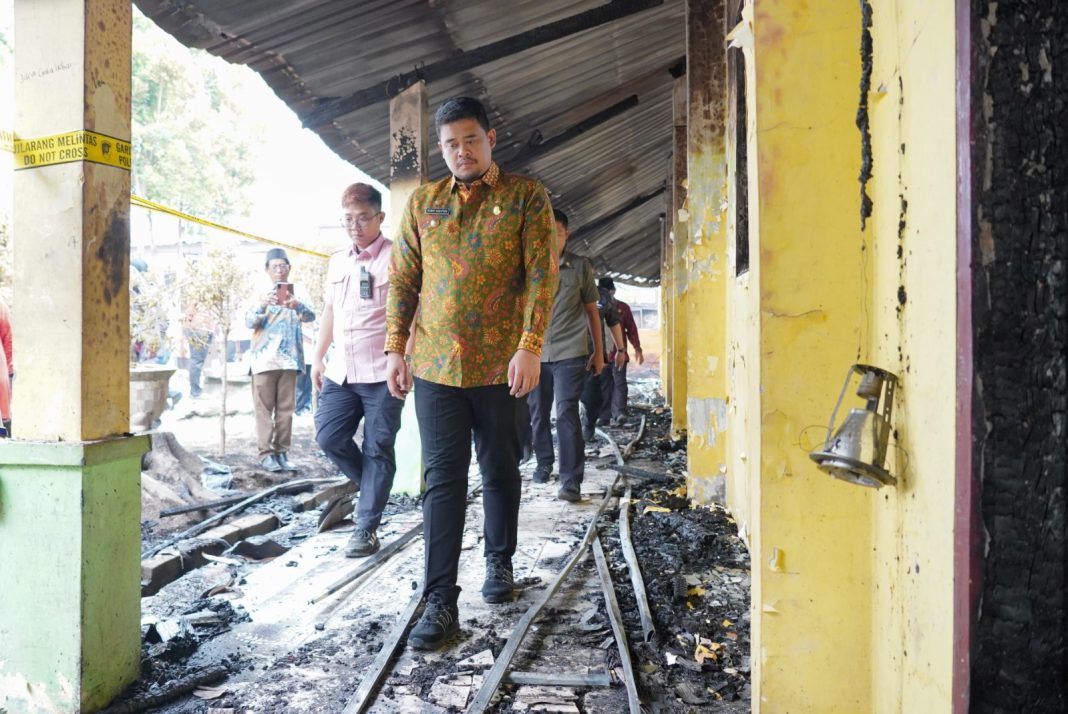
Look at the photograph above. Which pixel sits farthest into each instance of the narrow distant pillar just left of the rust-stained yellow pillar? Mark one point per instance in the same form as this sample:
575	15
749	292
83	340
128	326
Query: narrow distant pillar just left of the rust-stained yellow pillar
679	255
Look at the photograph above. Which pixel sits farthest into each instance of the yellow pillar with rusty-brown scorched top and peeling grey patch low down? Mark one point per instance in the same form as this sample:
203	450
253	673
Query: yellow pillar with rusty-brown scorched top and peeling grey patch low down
706	400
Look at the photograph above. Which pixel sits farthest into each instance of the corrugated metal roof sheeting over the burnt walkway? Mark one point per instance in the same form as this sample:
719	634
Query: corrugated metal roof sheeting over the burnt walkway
311	51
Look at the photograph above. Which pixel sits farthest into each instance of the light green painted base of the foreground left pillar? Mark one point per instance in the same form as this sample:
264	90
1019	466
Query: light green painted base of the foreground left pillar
70	573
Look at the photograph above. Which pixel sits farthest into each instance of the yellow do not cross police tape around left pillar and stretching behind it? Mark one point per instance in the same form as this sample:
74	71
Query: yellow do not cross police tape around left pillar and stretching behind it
101	149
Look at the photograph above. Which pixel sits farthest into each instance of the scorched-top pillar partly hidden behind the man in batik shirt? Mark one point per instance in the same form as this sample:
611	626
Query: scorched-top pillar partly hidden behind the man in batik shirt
410	157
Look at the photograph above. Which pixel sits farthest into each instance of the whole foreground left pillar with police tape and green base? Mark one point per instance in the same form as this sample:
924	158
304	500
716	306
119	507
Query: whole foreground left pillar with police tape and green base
70	489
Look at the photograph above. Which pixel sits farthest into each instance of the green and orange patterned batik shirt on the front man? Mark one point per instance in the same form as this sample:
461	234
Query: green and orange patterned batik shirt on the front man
478	262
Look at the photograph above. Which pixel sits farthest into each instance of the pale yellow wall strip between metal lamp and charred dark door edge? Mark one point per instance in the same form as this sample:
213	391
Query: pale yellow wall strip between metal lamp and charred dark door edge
914	299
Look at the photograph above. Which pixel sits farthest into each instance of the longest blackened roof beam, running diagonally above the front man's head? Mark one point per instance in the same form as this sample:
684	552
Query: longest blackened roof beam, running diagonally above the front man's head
328	110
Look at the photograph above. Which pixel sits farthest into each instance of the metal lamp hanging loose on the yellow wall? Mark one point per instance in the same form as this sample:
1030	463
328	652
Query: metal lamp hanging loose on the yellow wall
857	452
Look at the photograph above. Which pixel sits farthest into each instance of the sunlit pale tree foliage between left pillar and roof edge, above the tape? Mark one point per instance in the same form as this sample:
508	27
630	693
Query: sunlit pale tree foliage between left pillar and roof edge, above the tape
189	150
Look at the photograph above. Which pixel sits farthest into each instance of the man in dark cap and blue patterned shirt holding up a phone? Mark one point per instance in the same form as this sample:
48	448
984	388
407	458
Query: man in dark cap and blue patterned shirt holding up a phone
277	358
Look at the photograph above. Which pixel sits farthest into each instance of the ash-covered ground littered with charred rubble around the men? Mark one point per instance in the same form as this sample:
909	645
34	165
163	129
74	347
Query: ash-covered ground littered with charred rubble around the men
695	567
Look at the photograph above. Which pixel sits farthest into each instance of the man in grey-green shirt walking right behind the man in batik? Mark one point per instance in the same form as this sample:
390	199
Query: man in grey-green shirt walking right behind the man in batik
567	358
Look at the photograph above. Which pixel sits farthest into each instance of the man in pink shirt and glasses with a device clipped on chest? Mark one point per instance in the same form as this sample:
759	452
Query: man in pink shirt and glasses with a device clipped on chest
353	384
